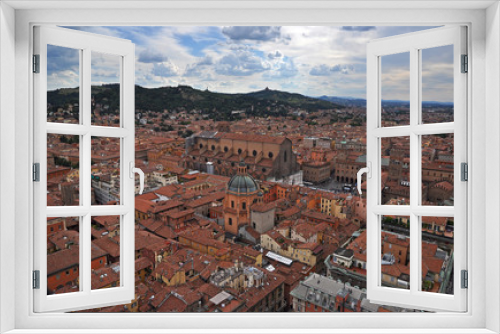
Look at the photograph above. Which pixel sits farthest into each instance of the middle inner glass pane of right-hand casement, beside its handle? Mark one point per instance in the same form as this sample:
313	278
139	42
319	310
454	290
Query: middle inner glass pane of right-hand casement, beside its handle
395	170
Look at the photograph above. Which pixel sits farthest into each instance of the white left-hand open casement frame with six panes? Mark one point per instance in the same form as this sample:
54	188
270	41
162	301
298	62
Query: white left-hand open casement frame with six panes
124	51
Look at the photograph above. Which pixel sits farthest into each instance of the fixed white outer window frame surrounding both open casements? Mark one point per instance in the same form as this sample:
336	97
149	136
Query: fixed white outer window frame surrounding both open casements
484	102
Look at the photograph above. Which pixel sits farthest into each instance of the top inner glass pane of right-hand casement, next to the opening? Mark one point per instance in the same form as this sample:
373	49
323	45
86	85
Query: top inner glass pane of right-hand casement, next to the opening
395	83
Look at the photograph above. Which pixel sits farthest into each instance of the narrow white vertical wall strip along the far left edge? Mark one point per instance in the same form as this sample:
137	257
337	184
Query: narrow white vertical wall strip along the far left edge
7	170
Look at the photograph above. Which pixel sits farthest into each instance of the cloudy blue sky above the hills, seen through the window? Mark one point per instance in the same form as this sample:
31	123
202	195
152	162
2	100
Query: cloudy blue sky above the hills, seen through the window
312	61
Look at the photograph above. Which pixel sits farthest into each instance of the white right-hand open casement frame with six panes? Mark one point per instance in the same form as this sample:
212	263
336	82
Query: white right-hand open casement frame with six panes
412	44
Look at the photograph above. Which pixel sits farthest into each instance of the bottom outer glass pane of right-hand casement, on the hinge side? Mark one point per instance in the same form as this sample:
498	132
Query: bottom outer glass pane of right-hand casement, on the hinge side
437	254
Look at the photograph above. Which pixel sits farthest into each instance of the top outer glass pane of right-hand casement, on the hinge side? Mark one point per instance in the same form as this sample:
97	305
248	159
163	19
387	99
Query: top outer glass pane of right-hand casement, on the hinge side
437	84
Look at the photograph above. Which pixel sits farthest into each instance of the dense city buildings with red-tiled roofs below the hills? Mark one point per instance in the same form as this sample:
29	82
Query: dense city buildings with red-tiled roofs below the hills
225	224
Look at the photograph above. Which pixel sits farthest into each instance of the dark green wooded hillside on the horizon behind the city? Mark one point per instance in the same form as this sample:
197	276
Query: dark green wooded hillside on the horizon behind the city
216	105
